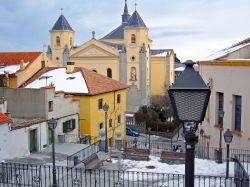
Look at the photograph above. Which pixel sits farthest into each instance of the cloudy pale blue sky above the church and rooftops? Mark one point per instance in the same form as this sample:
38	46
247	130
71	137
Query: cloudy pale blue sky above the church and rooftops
193	28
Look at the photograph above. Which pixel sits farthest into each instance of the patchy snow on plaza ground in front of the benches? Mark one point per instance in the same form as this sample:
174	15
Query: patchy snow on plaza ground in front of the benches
172	175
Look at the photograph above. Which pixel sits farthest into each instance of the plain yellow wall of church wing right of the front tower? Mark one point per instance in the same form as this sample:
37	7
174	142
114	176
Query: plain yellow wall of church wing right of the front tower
158	76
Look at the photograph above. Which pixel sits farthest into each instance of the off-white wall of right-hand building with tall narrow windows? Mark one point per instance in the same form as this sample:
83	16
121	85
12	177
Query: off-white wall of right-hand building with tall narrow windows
230	80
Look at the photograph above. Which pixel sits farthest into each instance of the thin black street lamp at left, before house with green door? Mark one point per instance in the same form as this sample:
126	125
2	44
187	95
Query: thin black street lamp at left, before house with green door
52	123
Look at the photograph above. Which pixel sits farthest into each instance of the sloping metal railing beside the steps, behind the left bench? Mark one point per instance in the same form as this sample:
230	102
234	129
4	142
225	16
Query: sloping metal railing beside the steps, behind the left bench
83	154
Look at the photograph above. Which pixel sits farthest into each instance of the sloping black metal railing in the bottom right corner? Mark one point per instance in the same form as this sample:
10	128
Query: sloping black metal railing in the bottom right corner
241	163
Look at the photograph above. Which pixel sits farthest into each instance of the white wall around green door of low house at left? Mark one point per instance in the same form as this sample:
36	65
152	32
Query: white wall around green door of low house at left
15	143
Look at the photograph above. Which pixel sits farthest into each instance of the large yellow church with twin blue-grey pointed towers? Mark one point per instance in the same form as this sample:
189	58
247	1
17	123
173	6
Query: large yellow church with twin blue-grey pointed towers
124	54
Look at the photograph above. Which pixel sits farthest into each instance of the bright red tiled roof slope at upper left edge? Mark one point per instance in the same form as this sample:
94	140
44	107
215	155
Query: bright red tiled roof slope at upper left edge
14	58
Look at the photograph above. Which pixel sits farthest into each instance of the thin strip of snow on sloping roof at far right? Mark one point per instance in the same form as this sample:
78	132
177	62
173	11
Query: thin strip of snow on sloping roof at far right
226	51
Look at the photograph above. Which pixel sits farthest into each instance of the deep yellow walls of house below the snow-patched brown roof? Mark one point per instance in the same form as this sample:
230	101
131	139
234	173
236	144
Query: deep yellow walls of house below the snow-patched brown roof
91	116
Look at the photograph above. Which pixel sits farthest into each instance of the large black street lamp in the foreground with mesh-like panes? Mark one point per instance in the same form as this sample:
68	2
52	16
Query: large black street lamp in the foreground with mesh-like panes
189	96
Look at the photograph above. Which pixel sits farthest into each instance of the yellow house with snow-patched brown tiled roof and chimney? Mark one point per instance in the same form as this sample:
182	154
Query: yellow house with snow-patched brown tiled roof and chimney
93	91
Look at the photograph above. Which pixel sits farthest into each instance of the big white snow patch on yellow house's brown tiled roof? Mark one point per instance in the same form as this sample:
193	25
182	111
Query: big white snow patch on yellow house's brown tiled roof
72	83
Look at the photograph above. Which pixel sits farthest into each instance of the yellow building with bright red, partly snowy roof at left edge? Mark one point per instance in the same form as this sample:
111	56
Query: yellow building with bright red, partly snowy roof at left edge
18	67
